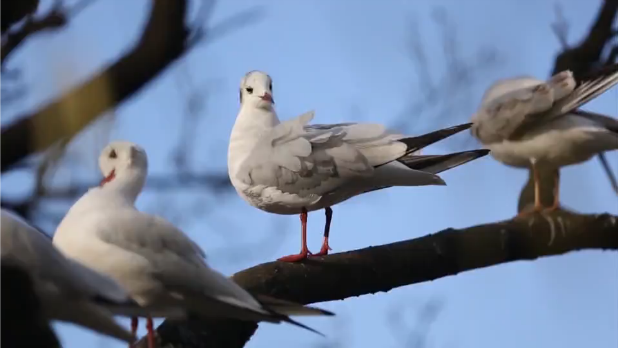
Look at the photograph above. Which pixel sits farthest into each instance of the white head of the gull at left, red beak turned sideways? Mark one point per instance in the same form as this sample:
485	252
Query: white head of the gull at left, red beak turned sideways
124	166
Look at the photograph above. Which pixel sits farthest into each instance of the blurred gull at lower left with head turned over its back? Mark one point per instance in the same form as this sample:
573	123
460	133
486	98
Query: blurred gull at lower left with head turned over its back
162	269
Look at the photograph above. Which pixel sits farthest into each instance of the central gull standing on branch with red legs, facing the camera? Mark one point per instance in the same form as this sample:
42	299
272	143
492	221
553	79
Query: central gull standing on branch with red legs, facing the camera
292	167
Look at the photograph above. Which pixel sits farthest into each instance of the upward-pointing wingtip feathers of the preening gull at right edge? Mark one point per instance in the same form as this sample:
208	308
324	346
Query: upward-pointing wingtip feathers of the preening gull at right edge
588	88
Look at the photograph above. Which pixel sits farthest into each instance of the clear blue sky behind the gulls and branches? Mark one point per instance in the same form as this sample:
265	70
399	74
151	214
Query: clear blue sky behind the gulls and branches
348	60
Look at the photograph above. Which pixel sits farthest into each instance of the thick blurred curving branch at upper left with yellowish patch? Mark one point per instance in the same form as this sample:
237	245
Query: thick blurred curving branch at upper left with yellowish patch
162	42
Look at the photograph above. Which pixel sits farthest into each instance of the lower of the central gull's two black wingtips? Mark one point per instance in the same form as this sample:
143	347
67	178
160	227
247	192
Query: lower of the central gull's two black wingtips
436	164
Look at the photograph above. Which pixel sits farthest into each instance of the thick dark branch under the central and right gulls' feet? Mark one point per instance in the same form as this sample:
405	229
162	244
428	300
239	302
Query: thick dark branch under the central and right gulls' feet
382	268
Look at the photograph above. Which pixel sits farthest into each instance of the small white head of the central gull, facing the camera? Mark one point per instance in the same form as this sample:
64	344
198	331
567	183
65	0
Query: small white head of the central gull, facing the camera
256	90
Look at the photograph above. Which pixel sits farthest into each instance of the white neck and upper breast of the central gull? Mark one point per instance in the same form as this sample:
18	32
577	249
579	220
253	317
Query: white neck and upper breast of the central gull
251	123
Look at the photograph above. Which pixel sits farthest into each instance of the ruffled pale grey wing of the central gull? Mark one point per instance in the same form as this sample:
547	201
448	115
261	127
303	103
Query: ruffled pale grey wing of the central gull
314	159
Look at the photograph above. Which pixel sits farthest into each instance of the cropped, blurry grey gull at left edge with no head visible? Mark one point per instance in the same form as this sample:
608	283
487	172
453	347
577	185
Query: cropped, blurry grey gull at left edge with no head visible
67	290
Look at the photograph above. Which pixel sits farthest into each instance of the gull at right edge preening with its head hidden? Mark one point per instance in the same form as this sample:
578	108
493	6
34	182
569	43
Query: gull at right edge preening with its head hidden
530	123
